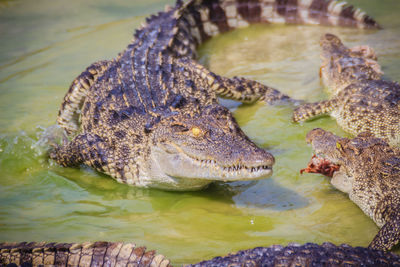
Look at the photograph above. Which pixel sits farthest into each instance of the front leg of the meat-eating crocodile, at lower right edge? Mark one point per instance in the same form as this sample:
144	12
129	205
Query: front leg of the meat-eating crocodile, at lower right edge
389	235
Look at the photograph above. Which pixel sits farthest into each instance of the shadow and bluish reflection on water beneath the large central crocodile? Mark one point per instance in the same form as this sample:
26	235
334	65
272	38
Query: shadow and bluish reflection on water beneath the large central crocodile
264	194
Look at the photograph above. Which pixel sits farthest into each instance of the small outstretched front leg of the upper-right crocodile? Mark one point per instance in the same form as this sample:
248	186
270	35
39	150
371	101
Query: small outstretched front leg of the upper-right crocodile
310	110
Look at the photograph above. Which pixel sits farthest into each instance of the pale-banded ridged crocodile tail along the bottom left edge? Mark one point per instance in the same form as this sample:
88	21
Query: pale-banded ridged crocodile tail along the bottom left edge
79	254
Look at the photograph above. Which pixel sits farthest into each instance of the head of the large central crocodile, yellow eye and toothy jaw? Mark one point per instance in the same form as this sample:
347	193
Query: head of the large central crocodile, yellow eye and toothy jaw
189	152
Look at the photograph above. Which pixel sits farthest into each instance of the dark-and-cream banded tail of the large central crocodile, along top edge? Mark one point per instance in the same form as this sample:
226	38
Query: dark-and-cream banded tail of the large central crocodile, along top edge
206	18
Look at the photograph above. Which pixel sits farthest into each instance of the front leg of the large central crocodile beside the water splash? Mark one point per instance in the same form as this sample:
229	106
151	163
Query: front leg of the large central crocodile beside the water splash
84	148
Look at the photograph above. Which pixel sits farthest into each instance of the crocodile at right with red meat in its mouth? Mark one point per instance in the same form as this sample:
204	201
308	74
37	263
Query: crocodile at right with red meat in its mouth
369	172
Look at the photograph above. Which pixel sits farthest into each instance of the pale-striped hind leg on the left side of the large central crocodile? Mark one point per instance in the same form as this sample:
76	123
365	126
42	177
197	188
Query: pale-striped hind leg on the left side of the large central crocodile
73	100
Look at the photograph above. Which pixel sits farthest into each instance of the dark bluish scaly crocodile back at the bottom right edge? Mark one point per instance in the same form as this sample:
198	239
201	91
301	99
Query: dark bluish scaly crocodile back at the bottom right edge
306	255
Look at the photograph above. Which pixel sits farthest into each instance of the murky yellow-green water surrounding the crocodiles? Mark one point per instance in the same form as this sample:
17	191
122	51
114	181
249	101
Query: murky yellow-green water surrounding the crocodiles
46	43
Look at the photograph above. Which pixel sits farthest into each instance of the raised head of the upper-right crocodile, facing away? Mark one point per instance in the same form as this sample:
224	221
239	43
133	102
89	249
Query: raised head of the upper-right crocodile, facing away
342	66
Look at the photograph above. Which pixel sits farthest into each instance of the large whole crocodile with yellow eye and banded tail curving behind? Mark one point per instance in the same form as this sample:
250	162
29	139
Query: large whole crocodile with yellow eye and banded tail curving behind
151	116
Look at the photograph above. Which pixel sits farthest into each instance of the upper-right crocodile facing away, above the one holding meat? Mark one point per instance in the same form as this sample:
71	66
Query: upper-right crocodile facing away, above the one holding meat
361	100
